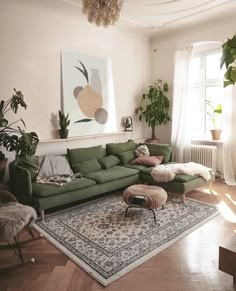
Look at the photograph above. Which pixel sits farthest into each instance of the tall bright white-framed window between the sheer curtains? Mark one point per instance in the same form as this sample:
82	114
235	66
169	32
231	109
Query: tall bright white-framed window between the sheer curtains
207	92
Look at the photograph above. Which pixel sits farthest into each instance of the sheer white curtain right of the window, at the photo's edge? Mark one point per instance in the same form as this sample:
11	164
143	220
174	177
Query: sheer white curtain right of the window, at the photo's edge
229	138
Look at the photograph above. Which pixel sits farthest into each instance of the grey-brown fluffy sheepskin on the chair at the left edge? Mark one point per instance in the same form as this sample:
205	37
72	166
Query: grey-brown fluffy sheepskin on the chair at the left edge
13	218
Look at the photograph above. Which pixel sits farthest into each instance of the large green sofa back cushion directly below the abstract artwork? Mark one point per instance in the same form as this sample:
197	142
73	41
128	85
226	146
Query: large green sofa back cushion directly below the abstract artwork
83	154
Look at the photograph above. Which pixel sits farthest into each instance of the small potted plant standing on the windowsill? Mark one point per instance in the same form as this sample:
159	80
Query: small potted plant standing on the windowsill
213	114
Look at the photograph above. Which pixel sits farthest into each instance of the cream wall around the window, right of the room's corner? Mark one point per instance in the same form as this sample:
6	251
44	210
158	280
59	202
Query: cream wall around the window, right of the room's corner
162	56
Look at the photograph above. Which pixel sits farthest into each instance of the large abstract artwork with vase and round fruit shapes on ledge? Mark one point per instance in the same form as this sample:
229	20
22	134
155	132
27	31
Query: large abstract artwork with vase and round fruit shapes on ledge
88	94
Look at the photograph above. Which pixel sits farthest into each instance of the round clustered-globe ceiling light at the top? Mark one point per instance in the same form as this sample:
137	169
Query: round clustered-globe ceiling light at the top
102	12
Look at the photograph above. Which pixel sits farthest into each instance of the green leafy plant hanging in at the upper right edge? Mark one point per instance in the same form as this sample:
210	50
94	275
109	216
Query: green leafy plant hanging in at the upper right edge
229	60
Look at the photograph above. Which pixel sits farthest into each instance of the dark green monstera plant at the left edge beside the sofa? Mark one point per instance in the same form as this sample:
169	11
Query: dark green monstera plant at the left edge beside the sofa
14	139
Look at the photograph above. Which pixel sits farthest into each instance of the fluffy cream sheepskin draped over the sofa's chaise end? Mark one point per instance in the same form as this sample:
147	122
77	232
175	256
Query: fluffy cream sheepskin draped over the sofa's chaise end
166	173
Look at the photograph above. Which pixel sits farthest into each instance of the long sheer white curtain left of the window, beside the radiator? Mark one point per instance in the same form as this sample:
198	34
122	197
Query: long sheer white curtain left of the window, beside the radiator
181	111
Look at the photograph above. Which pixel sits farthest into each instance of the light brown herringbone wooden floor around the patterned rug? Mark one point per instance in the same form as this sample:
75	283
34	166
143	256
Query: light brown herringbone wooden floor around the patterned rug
189	264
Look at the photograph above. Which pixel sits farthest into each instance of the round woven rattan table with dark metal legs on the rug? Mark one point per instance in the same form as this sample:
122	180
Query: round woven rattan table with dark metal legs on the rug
144	196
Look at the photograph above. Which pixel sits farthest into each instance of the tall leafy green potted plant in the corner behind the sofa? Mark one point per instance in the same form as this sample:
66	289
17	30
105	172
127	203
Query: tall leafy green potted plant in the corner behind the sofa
155	106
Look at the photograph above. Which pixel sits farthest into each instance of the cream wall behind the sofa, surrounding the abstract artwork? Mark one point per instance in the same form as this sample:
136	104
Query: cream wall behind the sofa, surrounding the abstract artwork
32	35
